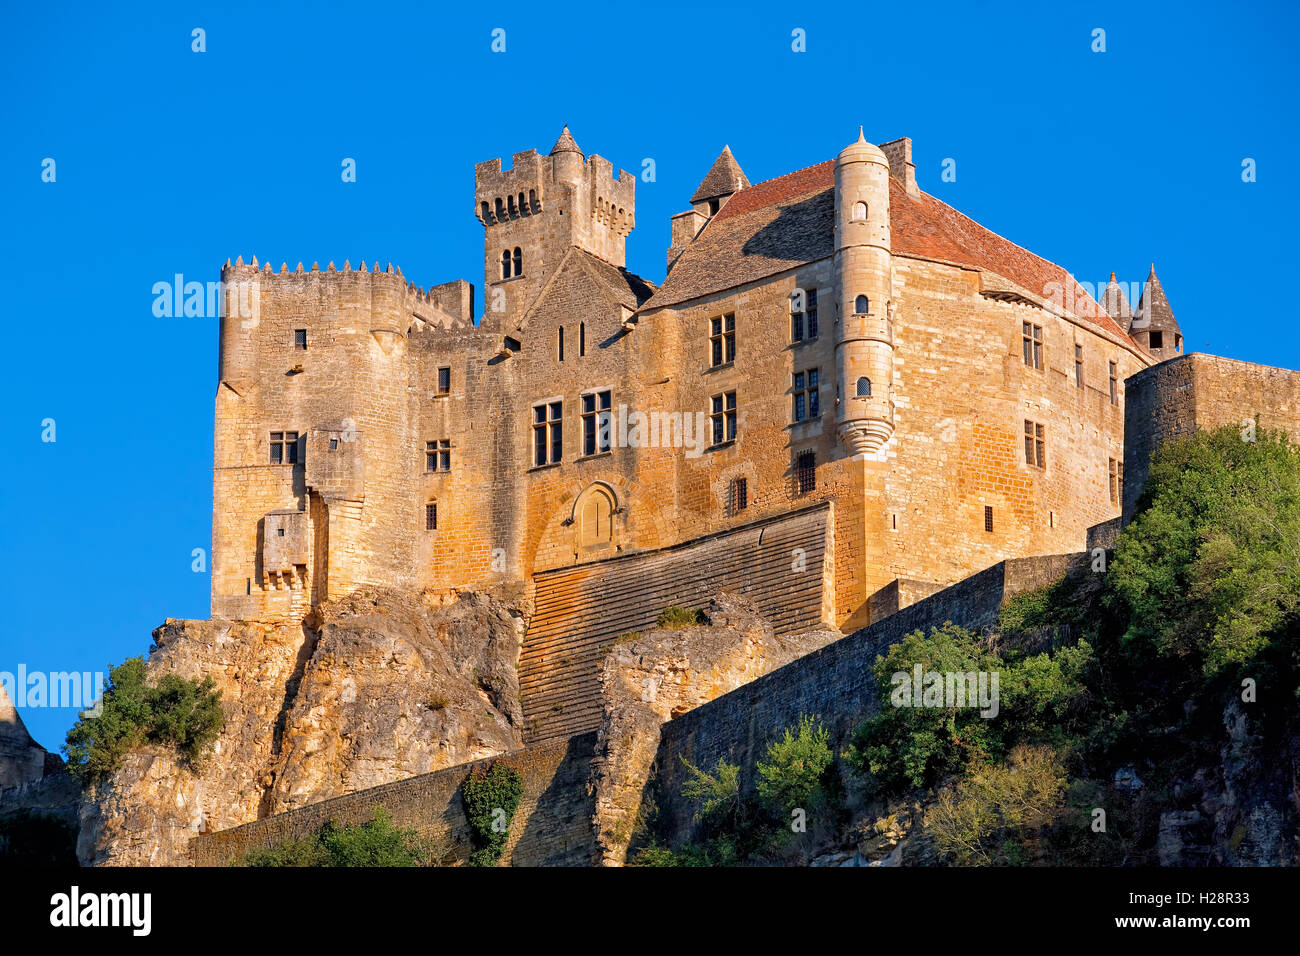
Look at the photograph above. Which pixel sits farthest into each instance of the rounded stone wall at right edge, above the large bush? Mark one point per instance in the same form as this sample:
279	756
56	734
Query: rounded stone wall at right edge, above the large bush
1201	392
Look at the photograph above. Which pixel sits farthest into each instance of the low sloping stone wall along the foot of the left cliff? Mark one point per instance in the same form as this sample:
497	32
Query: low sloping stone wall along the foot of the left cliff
552	827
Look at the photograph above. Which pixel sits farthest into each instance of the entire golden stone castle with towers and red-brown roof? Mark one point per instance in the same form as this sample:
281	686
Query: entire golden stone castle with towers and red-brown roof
831	338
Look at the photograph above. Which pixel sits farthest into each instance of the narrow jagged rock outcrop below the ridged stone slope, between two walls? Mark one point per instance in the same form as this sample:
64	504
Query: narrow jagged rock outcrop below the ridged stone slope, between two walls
662	674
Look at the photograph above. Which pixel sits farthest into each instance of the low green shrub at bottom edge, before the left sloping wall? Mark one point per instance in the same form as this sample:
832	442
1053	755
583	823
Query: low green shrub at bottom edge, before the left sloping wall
375	843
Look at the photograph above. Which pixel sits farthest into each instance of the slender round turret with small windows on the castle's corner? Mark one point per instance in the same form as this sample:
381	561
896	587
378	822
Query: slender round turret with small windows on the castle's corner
864	278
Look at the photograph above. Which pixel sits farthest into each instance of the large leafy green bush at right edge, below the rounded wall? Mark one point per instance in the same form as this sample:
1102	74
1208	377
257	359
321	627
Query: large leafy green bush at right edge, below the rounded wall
1210	568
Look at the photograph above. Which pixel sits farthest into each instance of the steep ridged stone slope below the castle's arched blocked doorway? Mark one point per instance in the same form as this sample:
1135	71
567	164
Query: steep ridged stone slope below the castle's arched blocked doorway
778	564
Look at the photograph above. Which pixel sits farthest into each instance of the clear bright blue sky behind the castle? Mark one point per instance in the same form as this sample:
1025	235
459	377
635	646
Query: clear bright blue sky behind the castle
170	162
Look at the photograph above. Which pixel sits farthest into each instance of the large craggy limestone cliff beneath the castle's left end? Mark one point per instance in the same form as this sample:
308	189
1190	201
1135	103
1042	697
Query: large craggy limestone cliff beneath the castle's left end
385	686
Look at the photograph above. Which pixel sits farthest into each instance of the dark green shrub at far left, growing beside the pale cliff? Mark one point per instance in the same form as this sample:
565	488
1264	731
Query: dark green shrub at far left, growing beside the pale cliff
176	712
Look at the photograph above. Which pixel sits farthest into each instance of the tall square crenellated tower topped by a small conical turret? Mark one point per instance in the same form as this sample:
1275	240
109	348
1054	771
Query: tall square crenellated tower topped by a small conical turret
540	209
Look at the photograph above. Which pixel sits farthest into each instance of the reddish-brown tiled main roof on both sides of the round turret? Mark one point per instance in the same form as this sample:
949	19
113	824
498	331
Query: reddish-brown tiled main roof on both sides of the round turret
778	224
